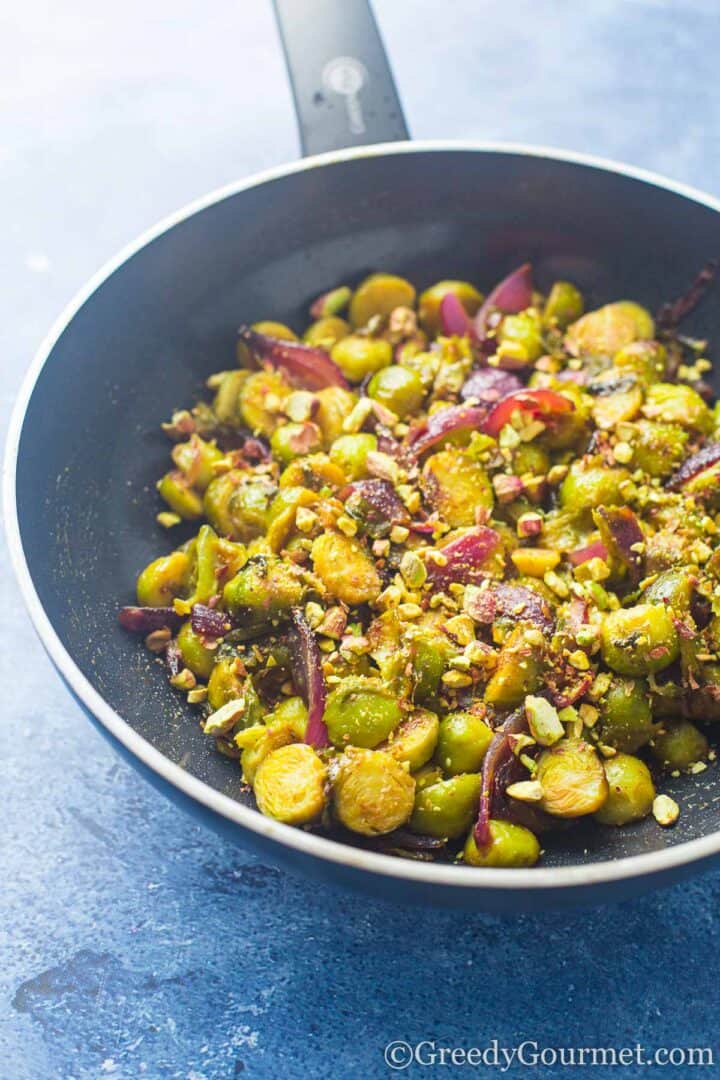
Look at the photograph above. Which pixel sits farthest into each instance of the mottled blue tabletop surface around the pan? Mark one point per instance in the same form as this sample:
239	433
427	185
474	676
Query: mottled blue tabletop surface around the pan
134	943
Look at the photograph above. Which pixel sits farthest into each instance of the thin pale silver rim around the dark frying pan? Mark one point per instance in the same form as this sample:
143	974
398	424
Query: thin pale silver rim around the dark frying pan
442	876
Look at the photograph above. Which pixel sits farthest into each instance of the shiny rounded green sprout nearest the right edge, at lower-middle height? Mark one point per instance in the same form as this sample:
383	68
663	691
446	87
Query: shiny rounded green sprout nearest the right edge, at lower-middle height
641	640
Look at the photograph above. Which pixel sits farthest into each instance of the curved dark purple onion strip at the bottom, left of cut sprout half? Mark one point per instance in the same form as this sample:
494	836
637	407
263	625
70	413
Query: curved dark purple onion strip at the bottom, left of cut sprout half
500	769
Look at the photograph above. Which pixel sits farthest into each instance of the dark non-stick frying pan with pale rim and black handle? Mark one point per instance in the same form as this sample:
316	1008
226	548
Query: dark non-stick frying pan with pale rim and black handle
85	448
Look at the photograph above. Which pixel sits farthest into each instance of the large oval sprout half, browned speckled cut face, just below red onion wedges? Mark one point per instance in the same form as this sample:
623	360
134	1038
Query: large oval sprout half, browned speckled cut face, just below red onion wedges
457	487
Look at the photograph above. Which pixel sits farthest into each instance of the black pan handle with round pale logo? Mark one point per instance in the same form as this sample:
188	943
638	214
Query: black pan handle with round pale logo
344	89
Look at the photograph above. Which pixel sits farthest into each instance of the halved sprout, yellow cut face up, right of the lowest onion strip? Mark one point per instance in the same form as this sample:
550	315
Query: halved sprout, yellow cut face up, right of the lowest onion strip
573	779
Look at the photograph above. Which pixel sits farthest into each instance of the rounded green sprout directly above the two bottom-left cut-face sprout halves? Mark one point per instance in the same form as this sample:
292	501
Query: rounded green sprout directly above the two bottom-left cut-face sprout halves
361	712
